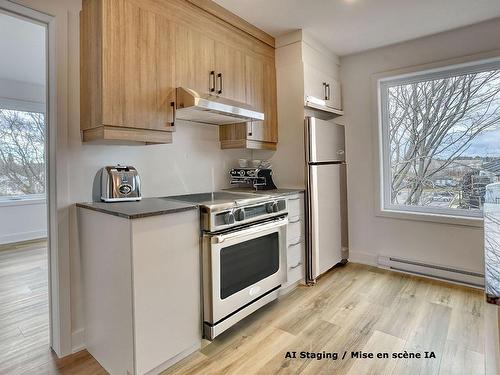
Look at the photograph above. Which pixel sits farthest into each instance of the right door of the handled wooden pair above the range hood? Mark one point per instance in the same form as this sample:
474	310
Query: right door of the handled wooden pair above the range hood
230	62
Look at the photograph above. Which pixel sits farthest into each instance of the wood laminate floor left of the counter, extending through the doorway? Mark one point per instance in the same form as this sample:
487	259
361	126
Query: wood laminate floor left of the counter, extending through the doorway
24	316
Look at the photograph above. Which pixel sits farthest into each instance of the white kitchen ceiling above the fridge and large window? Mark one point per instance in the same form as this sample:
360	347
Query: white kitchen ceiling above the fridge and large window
350	26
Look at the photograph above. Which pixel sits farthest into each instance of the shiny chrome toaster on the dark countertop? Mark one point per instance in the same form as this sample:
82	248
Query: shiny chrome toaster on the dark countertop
120	183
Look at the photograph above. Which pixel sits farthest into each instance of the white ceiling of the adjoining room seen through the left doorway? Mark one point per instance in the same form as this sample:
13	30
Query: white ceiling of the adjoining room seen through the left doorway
23	50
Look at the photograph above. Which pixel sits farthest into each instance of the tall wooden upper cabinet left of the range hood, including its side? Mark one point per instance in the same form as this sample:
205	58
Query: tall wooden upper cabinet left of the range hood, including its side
127	72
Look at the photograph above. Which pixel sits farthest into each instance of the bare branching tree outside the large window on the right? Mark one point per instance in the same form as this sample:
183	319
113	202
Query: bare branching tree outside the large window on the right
436	120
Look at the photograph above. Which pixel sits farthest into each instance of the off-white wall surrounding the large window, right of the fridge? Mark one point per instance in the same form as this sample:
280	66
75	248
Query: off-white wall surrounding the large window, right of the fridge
369	235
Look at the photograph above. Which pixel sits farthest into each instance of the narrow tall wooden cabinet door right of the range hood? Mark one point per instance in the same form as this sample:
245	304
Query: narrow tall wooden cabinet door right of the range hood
261	93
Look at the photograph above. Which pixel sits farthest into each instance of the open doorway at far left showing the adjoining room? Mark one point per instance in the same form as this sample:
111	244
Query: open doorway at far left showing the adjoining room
25	328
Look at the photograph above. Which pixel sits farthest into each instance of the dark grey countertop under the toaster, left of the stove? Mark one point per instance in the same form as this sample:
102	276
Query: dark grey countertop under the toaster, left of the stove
139	209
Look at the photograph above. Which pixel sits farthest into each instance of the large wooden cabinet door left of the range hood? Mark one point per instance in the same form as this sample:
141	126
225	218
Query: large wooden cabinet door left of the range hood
137	67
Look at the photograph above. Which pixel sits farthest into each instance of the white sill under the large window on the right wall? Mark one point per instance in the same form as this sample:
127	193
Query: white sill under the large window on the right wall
476	222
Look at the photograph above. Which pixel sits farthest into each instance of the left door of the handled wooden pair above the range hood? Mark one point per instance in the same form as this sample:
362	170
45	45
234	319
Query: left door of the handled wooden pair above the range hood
194	59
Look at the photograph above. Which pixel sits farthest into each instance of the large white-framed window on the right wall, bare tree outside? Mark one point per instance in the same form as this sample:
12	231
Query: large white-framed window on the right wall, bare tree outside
440	139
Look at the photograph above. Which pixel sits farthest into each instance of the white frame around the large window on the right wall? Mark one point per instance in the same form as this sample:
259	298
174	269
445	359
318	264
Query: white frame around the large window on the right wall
387	208
